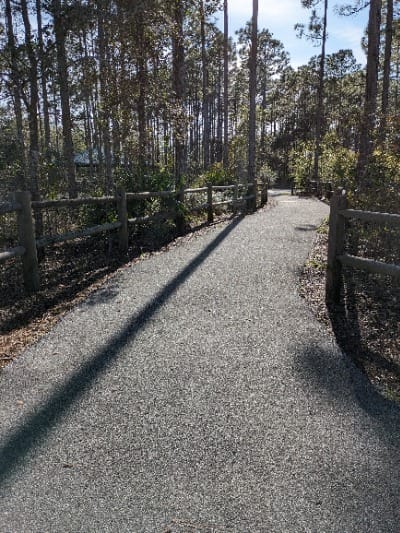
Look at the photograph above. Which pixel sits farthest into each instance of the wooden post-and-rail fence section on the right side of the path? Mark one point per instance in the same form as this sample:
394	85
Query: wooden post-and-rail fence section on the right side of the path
336	243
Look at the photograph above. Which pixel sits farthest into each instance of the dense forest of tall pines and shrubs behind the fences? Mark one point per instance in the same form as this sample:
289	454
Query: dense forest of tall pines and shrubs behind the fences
153	95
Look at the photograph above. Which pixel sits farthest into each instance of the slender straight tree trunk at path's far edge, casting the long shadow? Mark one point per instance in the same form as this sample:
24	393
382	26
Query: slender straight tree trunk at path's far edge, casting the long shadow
252	102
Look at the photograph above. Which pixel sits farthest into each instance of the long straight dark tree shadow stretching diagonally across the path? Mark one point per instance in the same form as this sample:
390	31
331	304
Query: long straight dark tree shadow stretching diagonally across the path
36	427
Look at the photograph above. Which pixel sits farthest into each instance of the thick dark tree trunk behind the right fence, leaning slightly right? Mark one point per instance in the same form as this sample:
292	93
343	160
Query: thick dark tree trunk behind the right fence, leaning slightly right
371	91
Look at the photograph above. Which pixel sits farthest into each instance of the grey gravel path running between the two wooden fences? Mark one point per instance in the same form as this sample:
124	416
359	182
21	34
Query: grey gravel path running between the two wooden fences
197	393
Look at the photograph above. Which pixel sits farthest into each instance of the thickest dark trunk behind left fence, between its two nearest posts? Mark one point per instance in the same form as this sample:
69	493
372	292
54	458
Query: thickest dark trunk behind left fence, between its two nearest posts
62	66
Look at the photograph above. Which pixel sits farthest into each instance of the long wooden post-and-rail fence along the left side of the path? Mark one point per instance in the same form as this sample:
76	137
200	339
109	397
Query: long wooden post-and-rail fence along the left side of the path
28	245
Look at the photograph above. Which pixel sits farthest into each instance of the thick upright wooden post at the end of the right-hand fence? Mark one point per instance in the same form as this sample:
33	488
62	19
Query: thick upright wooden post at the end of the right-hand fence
335	247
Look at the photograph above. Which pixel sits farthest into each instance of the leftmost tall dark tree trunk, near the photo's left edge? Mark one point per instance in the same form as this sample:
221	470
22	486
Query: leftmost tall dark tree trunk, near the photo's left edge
16	93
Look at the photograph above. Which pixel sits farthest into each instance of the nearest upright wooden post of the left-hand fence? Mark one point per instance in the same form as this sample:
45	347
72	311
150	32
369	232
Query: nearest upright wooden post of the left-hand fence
26	233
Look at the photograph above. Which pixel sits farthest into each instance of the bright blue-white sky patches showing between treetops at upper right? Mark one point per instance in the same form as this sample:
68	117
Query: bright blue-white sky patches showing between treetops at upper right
280	16
